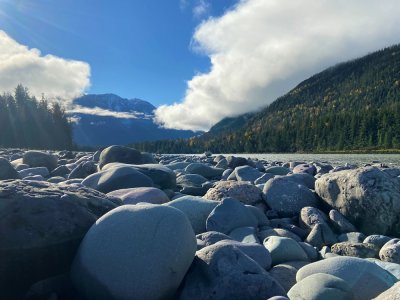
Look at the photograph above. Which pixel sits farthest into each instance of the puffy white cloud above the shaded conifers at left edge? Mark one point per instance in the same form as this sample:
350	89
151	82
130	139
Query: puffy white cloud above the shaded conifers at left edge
54	76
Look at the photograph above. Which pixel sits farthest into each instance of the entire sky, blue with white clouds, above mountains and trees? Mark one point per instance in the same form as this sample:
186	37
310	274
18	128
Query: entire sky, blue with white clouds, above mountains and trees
198	61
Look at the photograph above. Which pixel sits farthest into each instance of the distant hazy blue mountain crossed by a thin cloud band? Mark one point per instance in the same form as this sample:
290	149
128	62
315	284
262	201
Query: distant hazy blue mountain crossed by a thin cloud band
101	120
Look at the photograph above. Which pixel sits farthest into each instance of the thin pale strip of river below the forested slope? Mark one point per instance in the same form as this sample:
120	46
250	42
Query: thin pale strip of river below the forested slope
333	159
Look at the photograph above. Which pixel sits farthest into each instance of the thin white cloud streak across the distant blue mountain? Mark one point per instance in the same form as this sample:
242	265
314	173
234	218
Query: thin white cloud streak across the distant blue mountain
77	109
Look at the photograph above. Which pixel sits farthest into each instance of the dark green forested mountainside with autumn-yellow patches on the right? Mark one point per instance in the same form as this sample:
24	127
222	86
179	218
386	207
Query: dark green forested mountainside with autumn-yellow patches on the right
351	106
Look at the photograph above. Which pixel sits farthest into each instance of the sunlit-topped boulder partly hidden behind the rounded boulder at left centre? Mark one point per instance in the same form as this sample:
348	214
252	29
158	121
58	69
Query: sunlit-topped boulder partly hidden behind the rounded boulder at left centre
162	177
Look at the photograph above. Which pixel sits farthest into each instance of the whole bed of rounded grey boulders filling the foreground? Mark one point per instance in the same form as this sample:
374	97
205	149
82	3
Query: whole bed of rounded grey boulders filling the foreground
120	224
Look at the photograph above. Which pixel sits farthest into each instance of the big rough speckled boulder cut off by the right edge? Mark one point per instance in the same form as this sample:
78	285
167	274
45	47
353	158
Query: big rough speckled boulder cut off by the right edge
367	197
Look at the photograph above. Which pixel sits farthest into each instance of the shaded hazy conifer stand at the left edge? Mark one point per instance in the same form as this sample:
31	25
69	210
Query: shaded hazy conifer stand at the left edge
26	122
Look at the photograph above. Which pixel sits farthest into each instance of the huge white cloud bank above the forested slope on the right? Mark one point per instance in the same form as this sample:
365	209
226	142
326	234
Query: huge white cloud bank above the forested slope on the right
260	49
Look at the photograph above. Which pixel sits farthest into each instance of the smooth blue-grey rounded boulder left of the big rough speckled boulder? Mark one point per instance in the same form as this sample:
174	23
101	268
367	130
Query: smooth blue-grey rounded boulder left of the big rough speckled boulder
288	197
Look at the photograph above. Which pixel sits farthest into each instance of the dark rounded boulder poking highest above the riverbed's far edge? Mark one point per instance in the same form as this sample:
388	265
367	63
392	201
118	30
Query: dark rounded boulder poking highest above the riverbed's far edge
119	154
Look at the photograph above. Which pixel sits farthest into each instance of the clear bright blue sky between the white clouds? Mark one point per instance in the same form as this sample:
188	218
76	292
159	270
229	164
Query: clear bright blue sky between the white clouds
134	48
